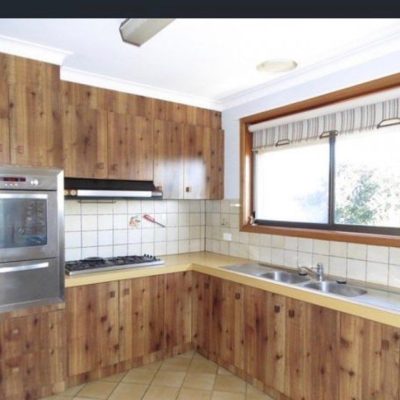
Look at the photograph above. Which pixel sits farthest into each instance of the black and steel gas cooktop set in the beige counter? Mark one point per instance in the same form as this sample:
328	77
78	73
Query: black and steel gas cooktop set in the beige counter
96	264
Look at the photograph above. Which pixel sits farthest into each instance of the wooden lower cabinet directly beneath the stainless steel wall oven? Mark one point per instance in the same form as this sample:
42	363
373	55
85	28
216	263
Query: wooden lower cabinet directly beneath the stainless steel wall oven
32	355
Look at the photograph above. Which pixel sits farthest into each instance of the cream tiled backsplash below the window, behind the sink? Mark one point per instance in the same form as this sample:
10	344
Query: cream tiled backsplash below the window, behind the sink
372	264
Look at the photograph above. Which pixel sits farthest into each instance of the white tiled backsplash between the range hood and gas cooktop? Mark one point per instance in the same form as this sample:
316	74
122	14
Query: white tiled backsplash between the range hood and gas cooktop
102	228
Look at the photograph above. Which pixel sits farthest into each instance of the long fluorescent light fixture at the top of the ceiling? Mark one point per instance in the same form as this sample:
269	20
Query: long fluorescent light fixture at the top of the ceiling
139	30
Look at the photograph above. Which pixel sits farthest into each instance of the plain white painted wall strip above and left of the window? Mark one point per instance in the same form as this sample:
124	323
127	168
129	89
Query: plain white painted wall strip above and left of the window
230	118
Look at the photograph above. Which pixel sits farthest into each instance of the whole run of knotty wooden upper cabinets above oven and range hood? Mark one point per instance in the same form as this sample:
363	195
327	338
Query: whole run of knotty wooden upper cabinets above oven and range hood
98	133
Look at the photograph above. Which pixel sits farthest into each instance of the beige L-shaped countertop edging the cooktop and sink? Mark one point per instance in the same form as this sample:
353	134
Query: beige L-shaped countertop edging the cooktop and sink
212	264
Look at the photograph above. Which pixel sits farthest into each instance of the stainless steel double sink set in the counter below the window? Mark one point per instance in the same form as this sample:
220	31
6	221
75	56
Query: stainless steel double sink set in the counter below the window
298	280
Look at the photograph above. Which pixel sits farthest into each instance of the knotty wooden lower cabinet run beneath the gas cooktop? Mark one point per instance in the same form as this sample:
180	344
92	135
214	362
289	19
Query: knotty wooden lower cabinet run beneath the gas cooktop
115	326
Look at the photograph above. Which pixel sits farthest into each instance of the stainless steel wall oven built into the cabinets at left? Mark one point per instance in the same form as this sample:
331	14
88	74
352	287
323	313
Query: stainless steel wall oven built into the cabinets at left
31	236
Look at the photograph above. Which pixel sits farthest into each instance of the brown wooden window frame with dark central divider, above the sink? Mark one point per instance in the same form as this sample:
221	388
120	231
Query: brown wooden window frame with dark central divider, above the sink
357	234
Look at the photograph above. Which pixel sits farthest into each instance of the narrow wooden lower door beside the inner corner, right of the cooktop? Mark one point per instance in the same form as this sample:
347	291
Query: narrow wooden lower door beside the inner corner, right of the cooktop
178	312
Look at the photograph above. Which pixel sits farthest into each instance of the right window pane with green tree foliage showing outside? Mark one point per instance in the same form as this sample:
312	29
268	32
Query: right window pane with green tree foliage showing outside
367	182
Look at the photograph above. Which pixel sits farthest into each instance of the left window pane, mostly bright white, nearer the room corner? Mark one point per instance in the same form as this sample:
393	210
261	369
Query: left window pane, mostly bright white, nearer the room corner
292	183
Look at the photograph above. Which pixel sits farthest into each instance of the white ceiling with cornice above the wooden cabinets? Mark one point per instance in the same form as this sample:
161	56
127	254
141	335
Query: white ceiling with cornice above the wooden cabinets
206	62
